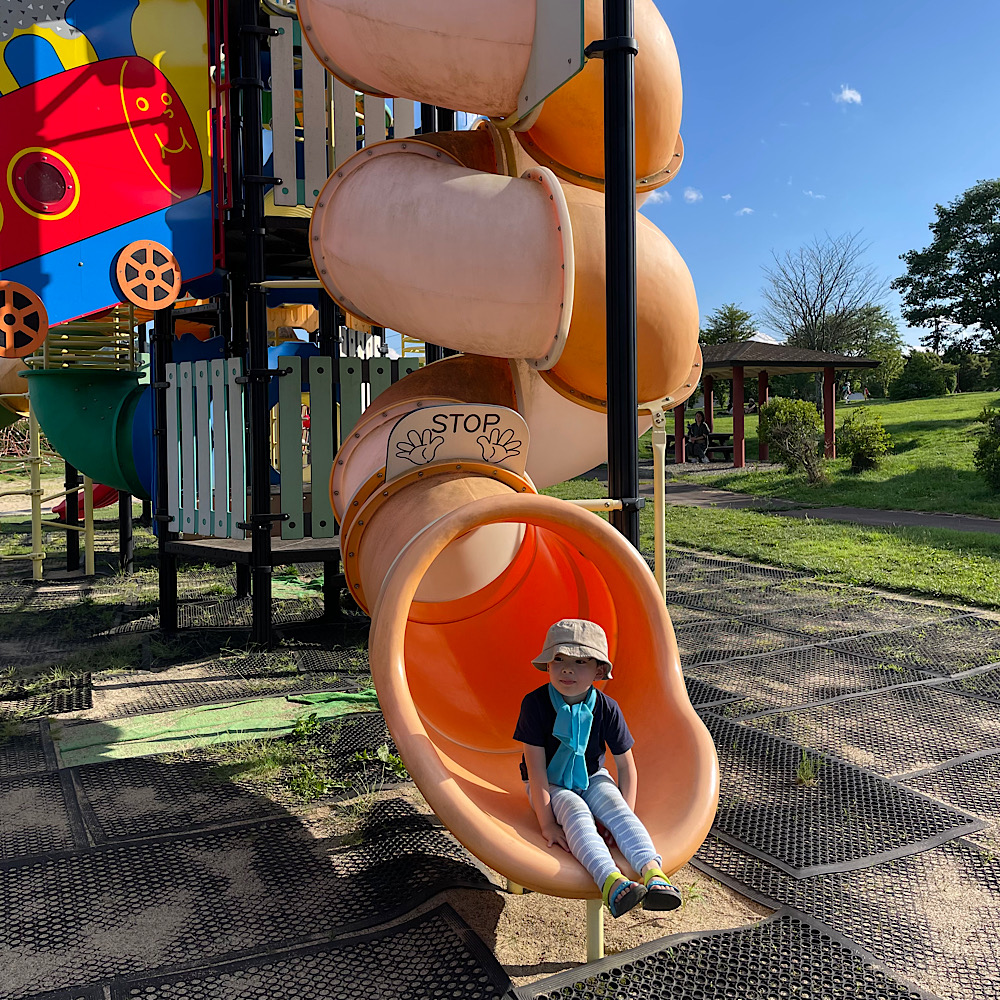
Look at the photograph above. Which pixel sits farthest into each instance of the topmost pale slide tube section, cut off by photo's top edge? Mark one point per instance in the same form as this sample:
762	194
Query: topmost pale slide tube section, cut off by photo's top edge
454	53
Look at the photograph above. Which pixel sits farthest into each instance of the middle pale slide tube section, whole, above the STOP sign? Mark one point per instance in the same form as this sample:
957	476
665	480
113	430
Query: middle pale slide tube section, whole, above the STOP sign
479	262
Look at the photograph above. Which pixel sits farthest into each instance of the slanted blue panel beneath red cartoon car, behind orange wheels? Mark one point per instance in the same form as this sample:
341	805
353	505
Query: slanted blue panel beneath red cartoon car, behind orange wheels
76	280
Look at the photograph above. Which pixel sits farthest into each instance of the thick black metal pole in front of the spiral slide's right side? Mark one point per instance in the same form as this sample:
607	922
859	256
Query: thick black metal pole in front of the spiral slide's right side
619	52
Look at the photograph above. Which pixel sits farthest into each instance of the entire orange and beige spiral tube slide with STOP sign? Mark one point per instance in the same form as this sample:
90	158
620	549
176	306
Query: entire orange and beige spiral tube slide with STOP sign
493	244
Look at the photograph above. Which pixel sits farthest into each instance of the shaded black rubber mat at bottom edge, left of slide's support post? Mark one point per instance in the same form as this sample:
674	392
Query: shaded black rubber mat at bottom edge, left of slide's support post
434	955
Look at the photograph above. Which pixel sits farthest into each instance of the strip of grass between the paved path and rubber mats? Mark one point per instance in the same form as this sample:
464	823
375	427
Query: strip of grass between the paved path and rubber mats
952	565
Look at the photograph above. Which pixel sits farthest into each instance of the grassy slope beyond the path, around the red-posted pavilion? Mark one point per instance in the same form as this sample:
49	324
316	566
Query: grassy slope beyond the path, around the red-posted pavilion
930	467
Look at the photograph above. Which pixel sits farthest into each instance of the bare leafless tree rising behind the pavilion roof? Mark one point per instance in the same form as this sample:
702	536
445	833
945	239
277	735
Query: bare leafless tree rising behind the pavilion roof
814	294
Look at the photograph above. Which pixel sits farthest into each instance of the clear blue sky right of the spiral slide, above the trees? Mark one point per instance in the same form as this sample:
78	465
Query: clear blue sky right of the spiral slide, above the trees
859	115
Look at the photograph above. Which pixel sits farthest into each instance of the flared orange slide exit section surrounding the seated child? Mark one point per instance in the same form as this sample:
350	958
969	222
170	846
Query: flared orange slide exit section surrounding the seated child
451	675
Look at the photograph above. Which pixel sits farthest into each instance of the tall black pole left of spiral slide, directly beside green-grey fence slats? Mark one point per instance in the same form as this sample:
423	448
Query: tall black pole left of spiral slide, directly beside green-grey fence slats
256	298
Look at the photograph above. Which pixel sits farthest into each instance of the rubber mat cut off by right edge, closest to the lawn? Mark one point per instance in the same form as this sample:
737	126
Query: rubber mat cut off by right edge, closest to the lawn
949	647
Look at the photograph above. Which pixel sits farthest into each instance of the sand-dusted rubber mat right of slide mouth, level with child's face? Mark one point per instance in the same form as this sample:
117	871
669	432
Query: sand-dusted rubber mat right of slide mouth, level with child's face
800	677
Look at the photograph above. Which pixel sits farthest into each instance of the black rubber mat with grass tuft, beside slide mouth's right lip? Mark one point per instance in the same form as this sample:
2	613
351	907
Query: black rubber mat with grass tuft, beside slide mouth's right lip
808	816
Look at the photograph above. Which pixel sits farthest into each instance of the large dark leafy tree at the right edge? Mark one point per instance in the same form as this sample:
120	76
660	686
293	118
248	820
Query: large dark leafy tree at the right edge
953	285
